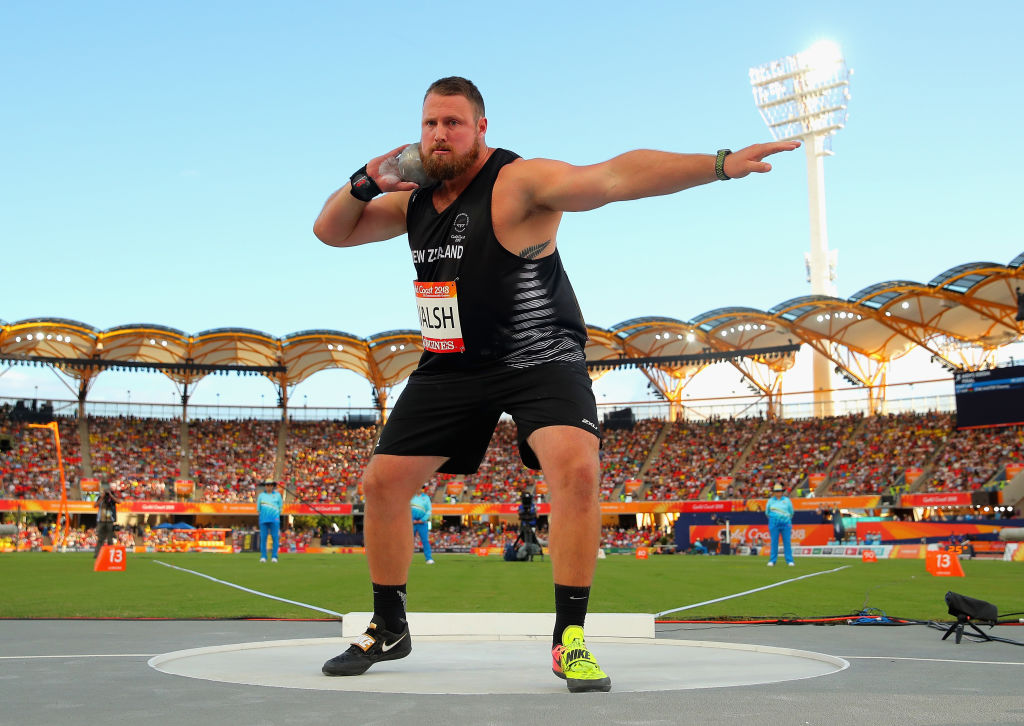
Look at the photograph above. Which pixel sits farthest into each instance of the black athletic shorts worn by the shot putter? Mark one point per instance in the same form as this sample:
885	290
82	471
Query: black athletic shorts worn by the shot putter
455	415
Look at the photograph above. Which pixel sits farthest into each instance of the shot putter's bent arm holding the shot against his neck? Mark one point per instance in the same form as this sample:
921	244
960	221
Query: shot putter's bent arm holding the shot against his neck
346	222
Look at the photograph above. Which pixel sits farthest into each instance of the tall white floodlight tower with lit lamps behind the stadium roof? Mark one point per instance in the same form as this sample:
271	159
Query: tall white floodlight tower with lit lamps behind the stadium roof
805	97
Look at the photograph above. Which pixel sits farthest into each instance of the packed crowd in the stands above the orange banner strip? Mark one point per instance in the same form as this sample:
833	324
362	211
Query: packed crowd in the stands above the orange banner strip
324	461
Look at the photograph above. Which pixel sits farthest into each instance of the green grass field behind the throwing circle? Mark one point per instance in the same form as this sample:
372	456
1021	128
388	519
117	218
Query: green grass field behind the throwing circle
49	585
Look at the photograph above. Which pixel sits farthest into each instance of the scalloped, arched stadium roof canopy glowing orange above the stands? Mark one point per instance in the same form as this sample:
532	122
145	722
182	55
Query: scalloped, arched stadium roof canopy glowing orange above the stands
972	305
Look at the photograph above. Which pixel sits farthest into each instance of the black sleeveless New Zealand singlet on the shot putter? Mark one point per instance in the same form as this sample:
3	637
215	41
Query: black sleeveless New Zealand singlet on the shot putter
515	312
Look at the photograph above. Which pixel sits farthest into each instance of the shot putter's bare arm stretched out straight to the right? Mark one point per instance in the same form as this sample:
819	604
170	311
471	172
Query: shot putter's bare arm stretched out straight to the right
636	175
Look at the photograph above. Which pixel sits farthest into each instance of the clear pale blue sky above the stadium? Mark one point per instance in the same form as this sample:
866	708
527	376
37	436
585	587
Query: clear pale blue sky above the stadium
164	163
